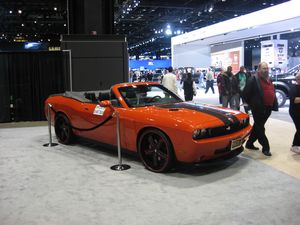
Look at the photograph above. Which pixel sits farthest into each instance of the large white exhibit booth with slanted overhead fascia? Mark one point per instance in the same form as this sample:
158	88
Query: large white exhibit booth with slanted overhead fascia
223	44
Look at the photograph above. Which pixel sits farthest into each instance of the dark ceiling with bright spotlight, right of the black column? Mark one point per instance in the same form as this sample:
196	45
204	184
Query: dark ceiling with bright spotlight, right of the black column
146	24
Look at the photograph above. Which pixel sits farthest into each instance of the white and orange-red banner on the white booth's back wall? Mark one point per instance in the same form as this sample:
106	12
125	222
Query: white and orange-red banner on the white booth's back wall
229	57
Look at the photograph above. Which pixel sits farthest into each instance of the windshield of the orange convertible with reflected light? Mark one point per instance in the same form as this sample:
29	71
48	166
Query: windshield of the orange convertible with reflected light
147	95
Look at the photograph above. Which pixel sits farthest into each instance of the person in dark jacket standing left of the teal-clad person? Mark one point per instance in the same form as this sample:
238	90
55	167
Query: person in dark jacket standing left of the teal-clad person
229	87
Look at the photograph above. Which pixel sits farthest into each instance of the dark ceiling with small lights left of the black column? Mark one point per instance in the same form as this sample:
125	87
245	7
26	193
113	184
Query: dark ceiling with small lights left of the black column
33	20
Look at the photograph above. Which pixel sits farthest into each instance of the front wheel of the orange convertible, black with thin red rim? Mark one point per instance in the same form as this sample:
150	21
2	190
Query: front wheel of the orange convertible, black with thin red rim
156	151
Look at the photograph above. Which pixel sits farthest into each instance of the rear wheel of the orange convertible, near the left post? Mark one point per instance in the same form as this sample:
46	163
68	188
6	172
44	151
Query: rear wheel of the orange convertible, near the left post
63	129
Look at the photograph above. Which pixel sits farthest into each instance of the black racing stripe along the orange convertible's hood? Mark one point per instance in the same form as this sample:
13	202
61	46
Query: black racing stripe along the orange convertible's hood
226	117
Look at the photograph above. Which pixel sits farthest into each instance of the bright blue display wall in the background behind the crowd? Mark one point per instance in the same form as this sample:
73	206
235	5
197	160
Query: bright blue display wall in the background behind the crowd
149	64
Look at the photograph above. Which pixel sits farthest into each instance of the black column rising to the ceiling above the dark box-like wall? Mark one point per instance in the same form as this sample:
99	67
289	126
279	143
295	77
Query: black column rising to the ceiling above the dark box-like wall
91	16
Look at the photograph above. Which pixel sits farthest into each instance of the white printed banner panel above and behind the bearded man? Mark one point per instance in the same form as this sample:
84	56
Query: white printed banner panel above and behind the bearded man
274	52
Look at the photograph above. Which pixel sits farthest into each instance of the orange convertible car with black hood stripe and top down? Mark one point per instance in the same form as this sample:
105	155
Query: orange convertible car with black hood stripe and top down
154	122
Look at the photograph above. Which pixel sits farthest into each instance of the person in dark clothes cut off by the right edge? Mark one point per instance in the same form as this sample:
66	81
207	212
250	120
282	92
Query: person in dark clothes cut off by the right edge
294	111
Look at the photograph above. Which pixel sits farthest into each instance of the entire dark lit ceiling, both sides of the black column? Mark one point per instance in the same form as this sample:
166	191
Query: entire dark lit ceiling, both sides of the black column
148	24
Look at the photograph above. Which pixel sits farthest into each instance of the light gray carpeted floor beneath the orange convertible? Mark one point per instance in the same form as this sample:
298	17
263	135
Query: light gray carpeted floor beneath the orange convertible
70	185
